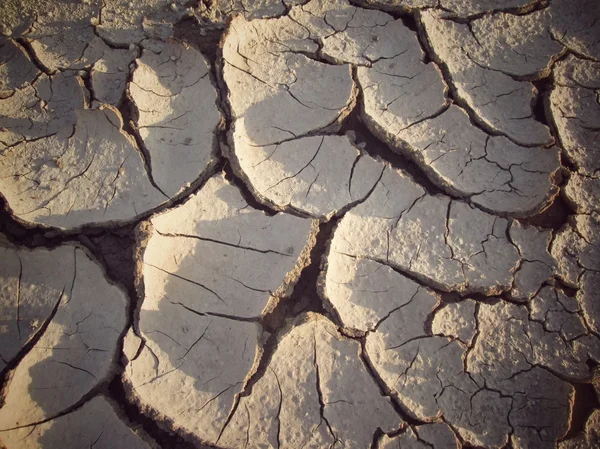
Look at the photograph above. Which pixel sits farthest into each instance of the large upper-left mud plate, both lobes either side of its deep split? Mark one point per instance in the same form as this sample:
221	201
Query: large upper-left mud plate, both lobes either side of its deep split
67	166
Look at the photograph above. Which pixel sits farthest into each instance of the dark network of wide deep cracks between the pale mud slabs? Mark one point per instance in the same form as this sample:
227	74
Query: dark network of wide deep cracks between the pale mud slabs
114	246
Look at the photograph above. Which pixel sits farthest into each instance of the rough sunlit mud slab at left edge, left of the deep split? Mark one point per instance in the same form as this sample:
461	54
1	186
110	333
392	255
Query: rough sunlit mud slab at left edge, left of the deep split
95	175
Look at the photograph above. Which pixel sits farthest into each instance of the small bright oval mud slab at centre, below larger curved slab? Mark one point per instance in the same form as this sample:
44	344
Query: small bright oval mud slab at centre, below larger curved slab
290	175
